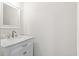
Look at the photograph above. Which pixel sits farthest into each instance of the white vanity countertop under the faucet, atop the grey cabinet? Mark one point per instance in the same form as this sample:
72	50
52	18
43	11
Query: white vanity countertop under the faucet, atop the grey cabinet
12	41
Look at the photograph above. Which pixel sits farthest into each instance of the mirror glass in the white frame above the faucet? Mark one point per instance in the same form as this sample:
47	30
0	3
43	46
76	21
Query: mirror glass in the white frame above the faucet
11	15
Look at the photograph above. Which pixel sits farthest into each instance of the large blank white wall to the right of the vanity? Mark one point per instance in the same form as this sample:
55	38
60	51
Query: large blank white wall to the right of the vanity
54	27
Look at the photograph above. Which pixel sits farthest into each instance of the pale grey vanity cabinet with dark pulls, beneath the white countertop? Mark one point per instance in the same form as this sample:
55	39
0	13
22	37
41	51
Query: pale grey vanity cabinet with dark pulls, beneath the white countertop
24	48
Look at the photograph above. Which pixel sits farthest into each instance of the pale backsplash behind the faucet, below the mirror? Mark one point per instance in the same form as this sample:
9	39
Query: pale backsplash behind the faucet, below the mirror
5	32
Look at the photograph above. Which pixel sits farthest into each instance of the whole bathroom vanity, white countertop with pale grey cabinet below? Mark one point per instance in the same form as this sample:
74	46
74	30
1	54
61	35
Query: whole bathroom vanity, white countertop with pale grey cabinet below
20	46
